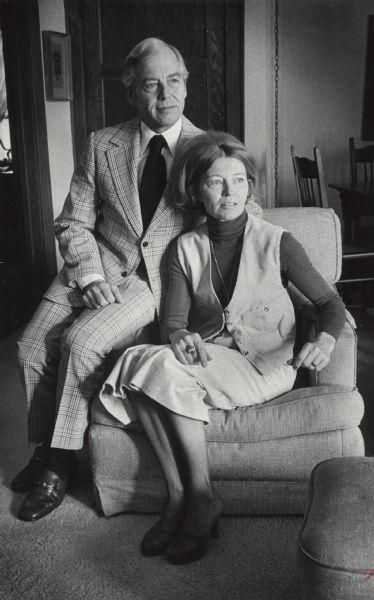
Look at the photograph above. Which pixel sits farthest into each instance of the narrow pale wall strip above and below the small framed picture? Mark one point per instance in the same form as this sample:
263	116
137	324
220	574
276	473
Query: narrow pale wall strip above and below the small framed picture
60	144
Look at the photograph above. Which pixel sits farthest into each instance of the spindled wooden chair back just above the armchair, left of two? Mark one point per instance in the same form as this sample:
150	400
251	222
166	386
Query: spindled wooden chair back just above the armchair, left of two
310	179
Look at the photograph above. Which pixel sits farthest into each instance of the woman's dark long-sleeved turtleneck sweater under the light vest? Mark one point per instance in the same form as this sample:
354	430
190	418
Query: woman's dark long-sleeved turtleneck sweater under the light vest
226	238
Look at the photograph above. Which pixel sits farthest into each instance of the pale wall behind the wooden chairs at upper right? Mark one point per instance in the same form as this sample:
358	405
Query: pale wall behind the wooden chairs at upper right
322	65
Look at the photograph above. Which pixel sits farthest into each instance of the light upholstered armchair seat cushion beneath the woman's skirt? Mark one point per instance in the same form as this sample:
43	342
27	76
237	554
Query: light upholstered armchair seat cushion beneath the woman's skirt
299	412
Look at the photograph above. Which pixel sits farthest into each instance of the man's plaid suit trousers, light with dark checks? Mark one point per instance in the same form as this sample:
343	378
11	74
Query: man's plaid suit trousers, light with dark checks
65	352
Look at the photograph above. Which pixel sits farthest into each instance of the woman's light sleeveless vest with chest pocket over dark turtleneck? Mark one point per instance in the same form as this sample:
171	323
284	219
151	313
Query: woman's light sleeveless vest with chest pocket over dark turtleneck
260	314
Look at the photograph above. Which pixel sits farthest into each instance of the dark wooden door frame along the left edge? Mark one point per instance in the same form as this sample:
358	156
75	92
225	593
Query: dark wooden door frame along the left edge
28	131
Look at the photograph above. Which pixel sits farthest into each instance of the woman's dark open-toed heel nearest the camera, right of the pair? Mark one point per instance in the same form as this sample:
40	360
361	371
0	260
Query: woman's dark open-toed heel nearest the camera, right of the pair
186	547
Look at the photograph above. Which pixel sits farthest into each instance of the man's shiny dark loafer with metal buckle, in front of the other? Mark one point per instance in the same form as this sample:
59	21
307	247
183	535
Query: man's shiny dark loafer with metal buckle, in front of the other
46	494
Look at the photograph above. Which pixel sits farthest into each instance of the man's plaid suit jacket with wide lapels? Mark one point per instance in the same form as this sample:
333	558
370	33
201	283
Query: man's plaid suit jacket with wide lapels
100	227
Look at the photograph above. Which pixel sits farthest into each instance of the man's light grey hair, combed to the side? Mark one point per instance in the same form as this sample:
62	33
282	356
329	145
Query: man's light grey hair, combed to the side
145	48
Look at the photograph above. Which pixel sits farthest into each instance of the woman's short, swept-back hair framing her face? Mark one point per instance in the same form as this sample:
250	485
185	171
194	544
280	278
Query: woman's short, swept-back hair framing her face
196	157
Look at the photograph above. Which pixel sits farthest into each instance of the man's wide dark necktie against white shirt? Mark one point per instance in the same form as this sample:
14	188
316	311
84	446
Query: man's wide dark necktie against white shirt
153	179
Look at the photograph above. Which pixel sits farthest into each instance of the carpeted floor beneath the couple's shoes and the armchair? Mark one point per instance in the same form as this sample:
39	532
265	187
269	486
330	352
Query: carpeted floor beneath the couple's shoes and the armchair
74	554
